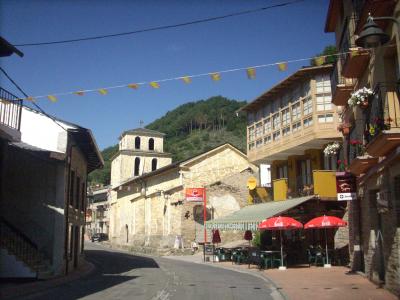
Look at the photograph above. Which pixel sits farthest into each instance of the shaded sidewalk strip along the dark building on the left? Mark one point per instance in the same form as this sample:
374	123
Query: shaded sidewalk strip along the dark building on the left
36	287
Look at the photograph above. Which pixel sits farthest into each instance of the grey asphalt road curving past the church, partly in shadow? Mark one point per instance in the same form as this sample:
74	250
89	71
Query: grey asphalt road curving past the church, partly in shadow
120	275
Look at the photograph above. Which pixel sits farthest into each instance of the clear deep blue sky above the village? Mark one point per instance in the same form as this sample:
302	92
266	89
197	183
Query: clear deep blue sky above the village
279	34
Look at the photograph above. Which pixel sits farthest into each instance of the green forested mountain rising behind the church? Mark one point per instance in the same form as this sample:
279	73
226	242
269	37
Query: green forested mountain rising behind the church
190	129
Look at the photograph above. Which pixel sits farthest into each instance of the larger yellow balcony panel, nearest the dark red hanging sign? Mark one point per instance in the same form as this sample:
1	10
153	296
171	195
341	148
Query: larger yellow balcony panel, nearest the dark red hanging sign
325	184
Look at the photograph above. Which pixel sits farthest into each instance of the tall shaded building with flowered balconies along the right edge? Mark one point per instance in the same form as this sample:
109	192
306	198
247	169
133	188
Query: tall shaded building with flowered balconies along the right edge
369	65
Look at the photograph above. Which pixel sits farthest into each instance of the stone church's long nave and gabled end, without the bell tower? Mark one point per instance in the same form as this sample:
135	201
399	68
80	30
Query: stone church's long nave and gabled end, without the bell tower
150	210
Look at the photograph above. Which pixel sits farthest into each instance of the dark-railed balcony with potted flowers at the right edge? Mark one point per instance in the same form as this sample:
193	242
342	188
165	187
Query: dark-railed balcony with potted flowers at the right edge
385	108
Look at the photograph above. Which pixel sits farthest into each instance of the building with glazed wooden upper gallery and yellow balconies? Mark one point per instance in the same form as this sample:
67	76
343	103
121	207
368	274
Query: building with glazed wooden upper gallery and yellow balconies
288	127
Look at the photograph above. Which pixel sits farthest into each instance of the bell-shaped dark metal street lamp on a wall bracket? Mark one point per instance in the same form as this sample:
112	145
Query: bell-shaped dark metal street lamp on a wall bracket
372	35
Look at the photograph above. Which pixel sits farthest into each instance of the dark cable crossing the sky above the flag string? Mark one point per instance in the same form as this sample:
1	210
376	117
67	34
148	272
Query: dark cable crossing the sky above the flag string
162	27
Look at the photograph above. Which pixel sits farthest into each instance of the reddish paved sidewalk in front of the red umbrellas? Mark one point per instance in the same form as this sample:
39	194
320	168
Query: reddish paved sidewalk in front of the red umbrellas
311	283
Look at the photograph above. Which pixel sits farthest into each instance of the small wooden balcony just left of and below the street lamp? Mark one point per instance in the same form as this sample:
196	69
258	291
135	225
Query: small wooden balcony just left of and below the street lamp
355	62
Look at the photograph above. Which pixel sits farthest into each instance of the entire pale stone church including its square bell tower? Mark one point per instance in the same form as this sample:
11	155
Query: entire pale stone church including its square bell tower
148	208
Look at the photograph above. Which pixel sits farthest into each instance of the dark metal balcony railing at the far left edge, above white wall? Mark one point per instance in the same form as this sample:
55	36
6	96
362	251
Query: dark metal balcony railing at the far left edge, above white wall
10	110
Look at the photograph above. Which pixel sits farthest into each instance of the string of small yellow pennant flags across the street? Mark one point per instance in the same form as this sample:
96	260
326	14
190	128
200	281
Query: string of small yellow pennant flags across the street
215	76
